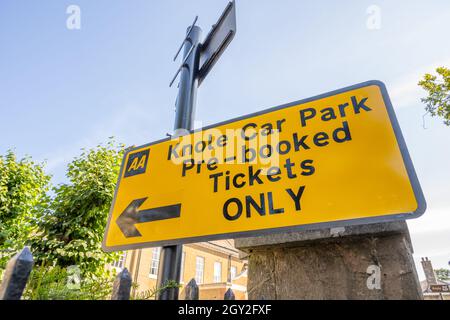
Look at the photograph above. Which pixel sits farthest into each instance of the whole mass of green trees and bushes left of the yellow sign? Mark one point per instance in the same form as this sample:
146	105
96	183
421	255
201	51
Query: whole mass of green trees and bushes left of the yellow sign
65	229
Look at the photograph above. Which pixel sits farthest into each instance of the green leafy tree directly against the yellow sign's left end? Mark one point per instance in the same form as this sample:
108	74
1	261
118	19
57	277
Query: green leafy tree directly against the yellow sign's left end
71	229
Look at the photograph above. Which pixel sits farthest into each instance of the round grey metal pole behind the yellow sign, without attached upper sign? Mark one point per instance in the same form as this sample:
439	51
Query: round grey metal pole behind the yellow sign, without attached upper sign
171	256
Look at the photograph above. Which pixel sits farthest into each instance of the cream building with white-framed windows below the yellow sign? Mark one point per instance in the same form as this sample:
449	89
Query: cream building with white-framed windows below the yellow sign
215	265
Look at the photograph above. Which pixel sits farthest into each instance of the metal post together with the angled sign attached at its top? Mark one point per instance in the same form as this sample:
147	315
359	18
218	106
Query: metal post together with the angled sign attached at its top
191	73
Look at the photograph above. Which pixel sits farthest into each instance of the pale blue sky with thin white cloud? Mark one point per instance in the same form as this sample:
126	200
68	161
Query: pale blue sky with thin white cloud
64	89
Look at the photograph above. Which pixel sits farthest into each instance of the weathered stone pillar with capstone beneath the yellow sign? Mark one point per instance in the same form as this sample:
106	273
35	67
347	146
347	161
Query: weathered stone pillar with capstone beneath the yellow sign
357	262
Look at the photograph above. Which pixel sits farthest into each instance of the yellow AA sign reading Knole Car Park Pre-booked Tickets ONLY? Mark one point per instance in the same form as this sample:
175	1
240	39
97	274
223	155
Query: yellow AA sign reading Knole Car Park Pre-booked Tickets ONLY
333	160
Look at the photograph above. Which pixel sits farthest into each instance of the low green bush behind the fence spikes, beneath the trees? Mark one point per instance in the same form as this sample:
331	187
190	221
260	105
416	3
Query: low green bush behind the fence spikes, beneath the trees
51	283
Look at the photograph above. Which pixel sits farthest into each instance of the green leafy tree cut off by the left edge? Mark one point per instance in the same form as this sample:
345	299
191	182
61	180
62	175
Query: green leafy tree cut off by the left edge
23	187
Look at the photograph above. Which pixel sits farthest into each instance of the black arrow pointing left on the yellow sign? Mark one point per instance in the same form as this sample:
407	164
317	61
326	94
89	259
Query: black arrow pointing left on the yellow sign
132	216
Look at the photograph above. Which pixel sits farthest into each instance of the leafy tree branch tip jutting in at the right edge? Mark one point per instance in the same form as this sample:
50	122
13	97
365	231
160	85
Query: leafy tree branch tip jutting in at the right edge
438	88
